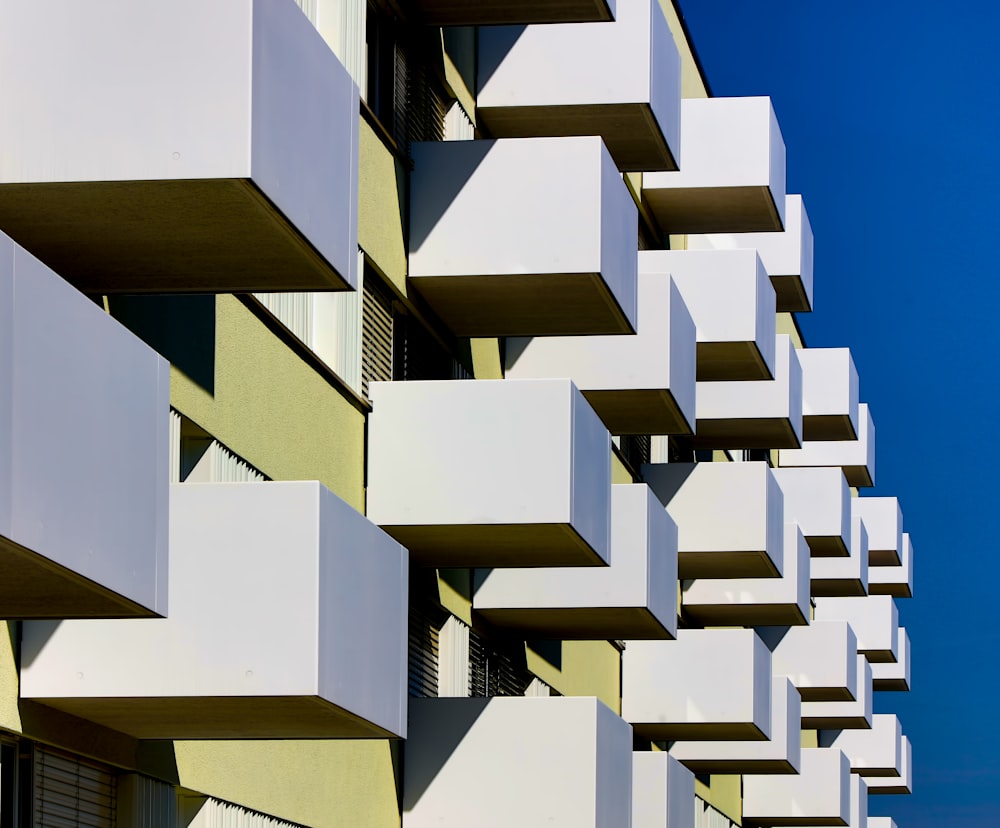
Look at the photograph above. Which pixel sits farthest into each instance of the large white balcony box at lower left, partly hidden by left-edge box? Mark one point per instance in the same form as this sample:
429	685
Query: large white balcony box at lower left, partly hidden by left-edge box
287	620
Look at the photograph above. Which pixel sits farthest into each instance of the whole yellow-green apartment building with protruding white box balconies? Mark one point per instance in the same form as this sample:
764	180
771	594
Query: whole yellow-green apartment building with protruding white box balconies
404	421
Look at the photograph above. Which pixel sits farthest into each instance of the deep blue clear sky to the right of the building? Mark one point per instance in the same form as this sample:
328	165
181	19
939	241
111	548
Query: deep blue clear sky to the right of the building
890	116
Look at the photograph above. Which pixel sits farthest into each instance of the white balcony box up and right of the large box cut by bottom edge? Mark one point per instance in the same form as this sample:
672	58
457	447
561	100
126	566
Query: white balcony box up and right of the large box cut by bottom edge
705	685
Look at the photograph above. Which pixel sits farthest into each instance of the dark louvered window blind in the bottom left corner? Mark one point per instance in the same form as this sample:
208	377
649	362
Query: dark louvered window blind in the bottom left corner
71	792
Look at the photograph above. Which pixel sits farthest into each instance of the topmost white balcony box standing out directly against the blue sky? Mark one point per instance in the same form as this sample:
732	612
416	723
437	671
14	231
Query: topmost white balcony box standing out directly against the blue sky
732	175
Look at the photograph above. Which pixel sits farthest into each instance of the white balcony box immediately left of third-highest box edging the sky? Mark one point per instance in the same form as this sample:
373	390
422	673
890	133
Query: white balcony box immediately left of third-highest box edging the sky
764	414
